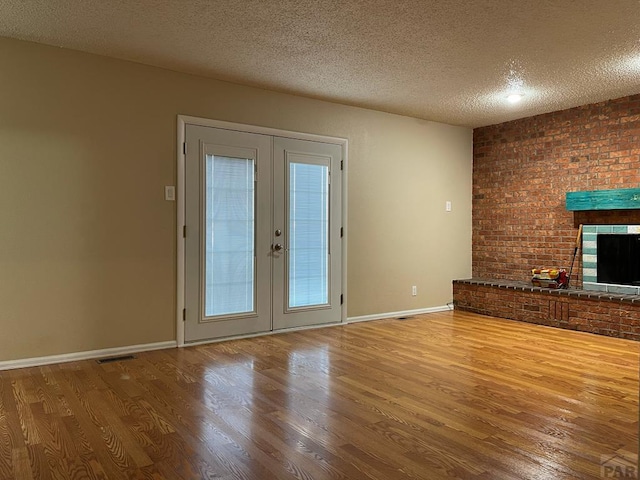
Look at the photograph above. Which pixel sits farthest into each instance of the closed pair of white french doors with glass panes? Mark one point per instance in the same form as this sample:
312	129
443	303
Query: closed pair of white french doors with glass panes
263	247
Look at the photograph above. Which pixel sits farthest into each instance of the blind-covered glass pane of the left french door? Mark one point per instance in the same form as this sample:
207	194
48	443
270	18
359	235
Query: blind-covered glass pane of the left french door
229	235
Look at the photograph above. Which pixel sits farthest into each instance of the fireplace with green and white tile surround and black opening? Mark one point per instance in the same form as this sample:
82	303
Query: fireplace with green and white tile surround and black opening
611	258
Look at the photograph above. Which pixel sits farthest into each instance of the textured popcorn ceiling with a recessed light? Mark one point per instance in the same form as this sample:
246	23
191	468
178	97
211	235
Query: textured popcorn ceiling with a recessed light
445	60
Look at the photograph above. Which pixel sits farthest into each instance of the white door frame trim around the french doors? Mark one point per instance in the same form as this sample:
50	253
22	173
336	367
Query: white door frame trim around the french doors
183	121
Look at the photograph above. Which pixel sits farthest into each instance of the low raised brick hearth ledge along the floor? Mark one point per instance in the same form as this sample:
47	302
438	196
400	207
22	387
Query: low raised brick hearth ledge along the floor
618	317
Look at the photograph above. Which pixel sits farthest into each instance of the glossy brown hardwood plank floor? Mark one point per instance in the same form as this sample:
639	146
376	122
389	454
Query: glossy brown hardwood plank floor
446	395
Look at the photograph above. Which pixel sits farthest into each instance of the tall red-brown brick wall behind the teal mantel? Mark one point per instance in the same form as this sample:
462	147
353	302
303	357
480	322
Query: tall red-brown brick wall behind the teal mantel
522	170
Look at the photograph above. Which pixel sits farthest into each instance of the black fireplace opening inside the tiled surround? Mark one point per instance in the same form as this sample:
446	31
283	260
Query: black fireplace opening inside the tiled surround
618	259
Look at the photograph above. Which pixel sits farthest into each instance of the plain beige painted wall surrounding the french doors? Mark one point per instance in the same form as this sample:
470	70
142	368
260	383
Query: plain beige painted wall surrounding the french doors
87	242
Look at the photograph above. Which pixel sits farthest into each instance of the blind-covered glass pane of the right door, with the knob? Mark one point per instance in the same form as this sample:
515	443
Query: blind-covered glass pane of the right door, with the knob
308	234
